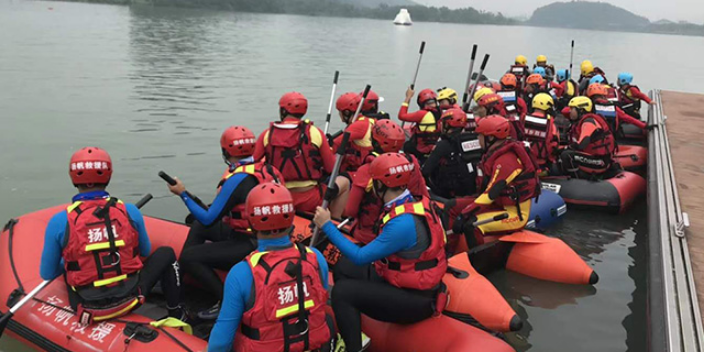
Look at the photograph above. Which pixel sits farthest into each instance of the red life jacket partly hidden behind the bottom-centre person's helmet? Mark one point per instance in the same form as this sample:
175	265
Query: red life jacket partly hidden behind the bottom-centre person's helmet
264	173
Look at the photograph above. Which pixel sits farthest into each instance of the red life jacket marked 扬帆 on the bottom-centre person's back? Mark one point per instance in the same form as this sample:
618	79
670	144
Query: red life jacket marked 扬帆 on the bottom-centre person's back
281	288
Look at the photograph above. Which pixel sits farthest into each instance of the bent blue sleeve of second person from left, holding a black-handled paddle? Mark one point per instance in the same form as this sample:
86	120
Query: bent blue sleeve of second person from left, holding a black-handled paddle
223	202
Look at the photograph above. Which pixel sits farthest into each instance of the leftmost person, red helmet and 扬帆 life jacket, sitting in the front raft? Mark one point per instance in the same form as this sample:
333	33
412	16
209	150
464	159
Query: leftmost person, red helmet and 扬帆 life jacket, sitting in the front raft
101	246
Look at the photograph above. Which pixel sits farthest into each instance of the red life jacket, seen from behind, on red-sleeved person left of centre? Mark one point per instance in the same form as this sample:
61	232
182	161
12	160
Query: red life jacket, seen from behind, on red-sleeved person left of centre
292	152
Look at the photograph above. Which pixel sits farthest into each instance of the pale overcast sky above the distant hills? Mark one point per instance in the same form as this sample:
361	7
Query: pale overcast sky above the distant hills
676	10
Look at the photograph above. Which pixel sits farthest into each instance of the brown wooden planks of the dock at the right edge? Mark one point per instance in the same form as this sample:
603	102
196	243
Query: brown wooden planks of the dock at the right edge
685	123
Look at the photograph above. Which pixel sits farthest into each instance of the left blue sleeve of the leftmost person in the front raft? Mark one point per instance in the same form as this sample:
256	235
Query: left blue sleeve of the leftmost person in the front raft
50	266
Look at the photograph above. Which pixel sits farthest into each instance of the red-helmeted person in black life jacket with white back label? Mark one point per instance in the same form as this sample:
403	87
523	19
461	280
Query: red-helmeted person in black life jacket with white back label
451	167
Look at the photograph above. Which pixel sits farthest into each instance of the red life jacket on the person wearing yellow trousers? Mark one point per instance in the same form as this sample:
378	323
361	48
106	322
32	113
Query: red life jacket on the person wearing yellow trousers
524	187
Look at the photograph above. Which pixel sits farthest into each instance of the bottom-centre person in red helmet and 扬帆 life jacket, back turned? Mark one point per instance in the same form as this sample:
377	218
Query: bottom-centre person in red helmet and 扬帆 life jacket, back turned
275	299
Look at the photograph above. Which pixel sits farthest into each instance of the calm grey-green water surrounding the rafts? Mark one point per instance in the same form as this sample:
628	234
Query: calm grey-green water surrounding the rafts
156	87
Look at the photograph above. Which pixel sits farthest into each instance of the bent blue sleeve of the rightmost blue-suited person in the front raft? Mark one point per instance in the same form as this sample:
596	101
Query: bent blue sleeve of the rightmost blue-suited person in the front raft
398	234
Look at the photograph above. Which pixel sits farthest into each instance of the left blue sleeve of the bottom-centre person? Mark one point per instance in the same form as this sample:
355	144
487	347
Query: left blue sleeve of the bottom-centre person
238	288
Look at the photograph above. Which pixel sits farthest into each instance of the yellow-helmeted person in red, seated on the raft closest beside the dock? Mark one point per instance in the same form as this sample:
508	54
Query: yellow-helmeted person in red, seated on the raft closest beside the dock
592	145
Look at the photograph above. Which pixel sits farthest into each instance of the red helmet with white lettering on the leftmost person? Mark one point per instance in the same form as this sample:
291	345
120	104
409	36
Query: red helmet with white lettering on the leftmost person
90	165
